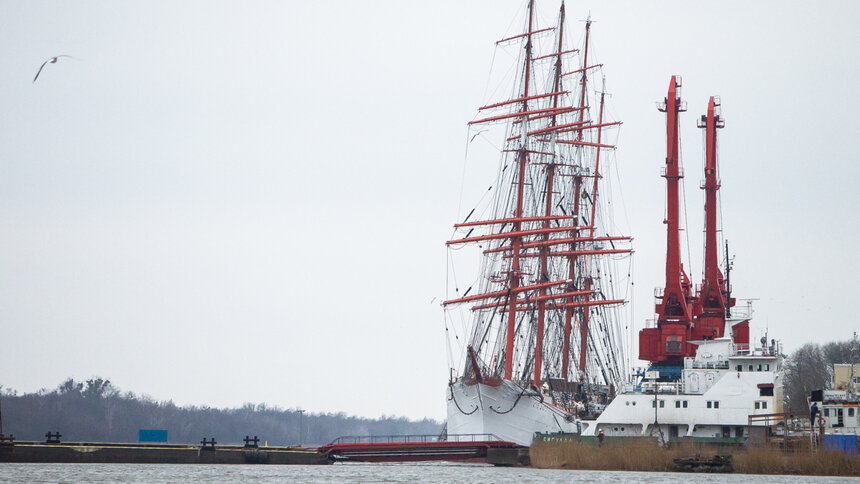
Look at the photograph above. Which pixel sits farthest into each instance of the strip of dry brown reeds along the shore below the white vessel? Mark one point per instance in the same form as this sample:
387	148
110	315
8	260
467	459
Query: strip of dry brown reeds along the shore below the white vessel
647	455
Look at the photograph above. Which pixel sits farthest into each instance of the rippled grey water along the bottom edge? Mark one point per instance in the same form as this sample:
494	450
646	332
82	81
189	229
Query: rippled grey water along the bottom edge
422	472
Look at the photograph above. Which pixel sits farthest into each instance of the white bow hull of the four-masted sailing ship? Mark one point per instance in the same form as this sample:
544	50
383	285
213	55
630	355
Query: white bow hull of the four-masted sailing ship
505	411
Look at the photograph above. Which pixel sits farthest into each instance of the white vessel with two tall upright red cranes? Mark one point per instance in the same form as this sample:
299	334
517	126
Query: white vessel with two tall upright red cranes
705	379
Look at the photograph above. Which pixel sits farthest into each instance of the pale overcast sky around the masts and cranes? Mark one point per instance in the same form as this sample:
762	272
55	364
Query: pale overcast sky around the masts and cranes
225	202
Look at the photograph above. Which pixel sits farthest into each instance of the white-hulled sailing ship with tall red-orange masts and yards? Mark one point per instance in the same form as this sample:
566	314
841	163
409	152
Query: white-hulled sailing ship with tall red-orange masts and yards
537	333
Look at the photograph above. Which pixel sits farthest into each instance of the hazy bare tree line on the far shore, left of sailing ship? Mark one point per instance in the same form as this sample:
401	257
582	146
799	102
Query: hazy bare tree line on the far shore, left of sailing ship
97	411
